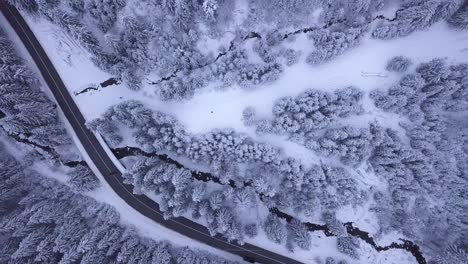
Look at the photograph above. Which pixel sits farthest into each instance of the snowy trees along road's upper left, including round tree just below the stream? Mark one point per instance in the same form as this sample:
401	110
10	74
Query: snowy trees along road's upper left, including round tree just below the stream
31	117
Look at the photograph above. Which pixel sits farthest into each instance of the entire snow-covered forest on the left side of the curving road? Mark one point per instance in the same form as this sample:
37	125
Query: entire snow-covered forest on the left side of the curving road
42	219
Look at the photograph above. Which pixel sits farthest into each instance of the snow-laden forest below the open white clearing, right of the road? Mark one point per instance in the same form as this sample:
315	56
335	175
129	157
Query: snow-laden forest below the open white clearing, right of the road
434	98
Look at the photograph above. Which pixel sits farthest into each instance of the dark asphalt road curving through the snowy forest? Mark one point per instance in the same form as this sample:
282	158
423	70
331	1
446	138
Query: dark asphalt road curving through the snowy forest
112	175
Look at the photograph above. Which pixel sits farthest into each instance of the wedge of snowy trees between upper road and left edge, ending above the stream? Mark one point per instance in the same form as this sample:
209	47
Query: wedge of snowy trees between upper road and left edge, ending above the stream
27	114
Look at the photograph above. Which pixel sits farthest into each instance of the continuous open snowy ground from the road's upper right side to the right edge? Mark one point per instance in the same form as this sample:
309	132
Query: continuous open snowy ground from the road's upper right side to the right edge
211	108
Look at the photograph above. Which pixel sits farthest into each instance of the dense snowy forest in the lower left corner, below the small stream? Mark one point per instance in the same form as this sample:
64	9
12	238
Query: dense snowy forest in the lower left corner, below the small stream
44	221
